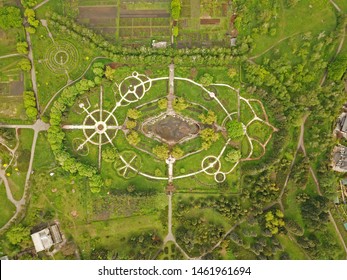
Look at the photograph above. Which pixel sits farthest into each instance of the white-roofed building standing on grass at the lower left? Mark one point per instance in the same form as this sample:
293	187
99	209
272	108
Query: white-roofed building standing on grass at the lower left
46	238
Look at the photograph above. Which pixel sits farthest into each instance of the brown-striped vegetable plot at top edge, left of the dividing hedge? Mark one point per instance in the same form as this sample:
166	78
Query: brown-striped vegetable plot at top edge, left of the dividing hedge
133	22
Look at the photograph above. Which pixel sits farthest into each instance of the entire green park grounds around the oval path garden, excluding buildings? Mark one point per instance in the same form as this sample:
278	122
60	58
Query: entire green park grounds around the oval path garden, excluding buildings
215	146
